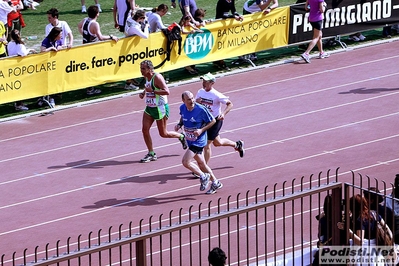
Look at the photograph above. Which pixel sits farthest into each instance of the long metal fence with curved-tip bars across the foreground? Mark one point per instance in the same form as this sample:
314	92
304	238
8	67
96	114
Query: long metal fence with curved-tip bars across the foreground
269	226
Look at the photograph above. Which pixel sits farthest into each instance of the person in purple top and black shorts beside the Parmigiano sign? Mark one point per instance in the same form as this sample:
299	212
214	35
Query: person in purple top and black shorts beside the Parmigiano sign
316	17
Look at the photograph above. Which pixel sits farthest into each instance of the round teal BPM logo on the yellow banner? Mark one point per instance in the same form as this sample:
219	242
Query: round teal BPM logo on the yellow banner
198	45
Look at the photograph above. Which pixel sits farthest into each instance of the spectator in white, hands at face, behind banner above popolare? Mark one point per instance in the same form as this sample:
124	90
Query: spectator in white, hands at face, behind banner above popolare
136	25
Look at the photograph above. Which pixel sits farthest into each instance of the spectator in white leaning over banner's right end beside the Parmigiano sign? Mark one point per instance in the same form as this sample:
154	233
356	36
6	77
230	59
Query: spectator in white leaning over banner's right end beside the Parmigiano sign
251	7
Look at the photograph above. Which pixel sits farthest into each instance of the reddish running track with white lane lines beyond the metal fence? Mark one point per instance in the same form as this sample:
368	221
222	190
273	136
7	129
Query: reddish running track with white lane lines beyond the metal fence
77	171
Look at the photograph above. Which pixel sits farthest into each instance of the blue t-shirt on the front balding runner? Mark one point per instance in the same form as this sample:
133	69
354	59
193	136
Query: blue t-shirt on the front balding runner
195	119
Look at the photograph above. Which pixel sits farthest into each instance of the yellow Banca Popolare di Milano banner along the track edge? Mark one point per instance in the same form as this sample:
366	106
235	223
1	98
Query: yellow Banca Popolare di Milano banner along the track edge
104	62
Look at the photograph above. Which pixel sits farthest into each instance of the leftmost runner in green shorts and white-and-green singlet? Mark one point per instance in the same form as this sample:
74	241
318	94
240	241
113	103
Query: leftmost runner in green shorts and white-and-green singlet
157	109
